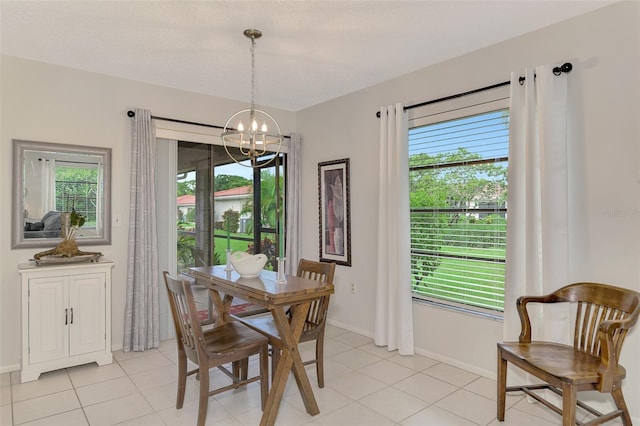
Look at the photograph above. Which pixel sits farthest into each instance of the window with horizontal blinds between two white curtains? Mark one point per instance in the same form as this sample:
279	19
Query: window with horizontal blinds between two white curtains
458	194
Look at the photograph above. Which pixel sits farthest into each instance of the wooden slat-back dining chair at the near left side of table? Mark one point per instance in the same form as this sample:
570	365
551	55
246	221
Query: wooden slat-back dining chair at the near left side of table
227	343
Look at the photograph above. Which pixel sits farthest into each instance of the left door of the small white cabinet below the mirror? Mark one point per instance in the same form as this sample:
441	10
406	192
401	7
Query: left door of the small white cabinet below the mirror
47	330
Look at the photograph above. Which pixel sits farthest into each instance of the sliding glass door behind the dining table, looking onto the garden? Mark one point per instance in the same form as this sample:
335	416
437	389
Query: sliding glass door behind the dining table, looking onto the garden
206	204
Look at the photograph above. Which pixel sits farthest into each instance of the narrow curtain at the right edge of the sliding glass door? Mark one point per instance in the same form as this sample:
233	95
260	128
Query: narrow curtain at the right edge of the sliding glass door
293	203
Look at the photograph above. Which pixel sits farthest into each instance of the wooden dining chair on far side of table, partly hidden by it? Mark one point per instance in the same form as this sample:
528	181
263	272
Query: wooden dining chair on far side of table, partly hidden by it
314	325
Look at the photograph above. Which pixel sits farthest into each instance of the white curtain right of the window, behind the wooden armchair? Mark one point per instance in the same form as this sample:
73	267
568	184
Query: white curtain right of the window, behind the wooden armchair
538	200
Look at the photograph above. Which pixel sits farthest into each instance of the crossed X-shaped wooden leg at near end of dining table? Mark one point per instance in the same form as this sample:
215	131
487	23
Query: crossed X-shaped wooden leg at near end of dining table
289	359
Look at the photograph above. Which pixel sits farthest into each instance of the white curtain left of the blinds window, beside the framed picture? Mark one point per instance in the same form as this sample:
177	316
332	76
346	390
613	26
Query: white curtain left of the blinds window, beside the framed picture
394	309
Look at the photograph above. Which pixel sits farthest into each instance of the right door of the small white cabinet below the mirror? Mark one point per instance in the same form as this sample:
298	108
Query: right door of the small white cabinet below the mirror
87	307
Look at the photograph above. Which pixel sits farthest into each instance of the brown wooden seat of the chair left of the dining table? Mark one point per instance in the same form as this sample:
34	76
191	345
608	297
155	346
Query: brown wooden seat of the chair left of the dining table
232	337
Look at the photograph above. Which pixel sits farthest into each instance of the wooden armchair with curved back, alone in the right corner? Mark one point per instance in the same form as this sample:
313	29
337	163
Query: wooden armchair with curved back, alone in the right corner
604	315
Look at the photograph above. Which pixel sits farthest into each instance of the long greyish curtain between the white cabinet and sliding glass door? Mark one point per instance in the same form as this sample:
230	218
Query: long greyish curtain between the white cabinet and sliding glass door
141	322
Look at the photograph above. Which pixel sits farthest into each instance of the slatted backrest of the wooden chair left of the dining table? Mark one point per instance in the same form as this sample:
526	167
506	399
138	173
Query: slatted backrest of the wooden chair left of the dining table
185	316
